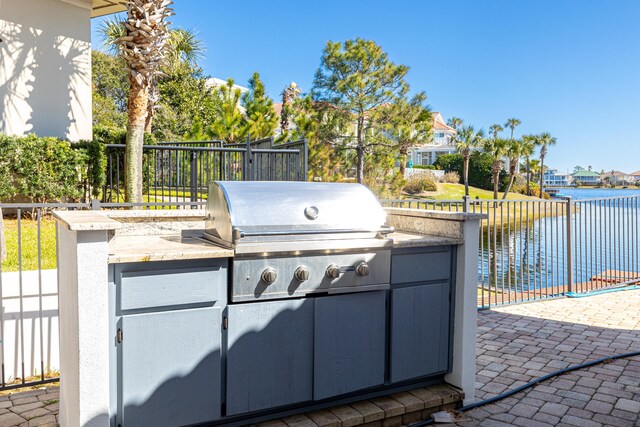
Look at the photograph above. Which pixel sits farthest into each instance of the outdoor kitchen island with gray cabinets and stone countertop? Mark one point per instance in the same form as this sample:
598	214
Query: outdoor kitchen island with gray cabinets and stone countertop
160	326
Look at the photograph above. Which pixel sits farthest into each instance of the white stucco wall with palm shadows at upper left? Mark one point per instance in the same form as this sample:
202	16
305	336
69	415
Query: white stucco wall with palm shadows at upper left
45	71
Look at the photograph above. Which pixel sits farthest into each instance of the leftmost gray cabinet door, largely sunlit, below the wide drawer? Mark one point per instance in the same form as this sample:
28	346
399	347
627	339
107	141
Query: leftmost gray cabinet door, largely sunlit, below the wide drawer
171	367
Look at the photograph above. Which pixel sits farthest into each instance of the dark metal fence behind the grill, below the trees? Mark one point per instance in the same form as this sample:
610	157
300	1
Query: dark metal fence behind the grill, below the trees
181	171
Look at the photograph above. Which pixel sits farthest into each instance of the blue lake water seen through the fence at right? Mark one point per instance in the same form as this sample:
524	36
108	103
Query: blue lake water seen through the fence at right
530	256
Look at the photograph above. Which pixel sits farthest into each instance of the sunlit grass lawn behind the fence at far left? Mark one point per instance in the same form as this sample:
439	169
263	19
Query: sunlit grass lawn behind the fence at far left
29	241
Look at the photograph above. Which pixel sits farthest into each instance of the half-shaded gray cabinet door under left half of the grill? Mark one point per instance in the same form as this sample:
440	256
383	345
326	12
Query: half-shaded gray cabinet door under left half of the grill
269	355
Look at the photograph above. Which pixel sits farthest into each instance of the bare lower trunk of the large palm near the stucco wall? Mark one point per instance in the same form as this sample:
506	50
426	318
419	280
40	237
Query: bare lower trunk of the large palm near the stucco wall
137	112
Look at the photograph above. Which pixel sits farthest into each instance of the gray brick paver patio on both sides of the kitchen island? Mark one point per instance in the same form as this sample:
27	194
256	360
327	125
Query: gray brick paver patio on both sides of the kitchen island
516	344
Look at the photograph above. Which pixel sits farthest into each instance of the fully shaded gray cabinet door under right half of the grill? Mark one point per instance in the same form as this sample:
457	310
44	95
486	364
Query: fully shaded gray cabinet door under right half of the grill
349	343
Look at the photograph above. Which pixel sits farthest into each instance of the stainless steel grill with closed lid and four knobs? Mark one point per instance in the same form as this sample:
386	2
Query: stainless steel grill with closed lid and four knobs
295	238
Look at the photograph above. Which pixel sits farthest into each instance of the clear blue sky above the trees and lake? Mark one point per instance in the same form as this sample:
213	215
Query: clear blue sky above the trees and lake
568	67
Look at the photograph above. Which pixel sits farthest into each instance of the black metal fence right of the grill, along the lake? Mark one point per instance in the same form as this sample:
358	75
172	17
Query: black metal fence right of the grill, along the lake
537	249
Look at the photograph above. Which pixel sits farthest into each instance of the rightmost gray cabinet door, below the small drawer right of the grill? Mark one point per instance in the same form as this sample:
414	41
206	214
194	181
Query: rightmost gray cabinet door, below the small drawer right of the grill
419	331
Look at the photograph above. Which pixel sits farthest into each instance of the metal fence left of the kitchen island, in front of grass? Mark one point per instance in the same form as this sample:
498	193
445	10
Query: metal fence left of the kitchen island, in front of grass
29	339
